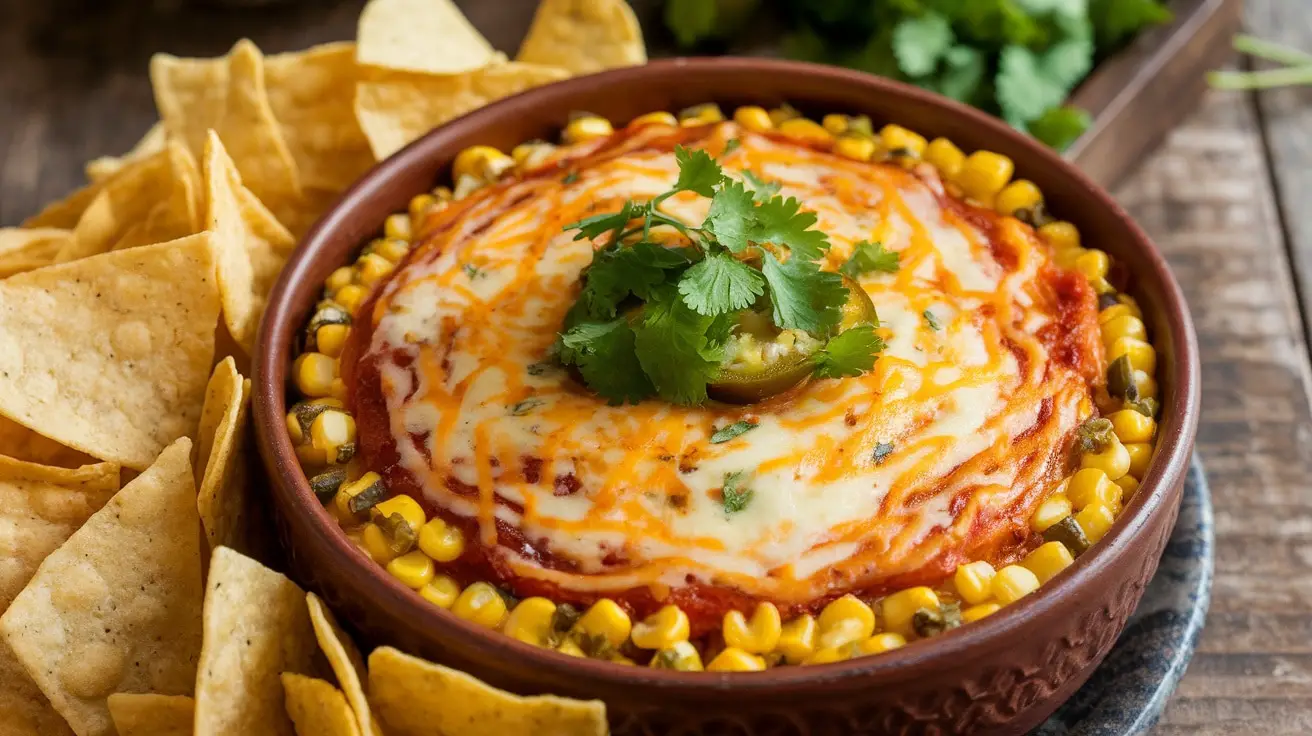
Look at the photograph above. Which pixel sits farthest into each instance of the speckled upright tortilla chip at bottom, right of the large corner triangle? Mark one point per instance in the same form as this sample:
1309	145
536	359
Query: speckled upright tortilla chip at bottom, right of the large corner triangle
256	628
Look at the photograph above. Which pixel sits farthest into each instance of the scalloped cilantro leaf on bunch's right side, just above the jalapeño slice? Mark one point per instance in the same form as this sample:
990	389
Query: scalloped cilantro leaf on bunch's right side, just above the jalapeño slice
804	297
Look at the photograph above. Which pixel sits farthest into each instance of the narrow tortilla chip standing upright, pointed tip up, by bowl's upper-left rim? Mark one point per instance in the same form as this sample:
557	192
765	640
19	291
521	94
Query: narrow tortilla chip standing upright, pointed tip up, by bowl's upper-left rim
251	245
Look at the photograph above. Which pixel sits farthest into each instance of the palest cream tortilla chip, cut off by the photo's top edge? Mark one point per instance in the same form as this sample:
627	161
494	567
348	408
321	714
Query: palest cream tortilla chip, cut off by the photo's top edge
420	36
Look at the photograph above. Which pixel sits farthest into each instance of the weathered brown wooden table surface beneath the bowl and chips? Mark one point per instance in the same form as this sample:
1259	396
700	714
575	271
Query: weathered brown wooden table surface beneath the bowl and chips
1226	199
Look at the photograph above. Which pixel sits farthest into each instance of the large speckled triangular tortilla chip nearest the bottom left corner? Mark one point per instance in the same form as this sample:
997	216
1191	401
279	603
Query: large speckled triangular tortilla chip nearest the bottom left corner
117	607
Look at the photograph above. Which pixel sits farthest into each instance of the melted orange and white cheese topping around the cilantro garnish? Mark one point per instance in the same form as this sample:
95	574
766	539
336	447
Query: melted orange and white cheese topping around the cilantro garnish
978	414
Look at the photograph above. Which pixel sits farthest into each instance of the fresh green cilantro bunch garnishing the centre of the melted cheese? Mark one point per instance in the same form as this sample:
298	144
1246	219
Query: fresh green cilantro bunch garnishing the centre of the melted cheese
654	321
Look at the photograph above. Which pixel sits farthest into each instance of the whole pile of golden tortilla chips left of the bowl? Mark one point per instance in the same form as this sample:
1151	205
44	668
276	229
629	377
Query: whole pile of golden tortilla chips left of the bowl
132	521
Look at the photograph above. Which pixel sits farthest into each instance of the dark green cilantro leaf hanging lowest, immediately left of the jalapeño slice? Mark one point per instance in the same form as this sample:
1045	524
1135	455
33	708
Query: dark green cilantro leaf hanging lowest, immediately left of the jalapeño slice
674	348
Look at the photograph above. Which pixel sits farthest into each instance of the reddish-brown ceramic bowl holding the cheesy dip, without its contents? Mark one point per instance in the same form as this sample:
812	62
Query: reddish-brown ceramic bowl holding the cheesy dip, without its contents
1003	675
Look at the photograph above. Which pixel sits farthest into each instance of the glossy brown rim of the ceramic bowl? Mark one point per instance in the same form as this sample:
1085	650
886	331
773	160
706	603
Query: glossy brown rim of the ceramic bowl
1171	457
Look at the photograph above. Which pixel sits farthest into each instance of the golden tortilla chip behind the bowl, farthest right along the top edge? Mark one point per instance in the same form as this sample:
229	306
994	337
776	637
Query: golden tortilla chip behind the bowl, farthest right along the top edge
584	36
